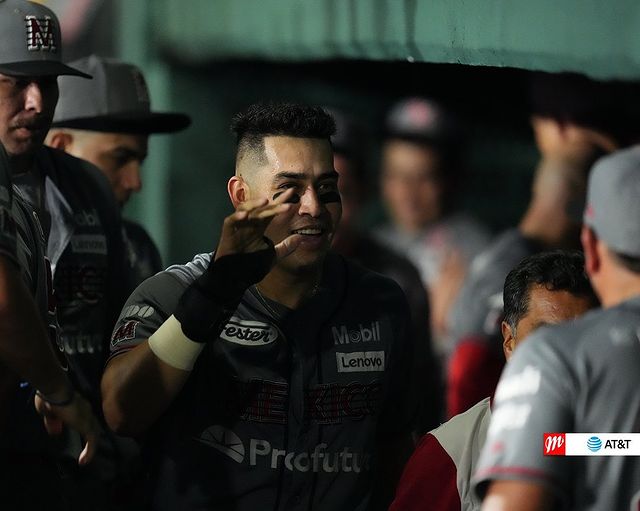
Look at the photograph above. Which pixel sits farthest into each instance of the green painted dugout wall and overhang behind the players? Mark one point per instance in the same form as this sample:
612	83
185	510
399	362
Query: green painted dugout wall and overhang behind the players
187	49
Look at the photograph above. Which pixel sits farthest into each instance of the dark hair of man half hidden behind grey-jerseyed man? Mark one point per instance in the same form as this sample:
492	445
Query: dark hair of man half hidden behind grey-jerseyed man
557	270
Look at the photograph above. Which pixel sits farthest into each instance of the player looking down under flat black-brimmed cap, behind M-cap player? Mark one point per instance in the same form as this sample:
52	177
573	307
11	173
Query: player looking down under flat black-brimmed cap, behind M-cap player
107	121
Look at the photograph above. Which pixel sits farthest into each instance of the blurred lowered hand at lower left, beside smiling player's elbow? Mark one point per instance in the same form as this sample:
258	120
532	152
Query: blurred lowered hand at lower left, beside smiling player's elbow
76	415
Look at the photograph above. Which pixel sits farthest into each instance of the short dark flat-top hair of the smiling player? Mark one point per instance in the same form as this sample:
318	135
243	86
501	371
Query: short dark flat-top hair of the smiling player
279	119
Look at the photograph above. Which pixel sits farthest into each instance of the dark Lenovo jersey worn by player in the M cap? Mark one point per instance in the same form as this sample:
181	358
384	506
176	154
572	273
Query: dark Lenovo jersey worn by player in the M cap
86	249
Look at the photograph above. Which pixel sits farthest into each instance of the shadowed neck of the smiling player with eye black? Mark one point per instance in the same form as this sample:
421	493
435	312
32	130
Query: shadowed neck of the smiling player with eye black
290	289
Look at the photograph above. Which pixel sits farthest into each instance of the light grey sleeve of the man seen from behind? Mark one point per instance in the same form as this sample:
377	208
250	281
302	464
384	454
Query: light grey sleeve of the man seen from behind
533	397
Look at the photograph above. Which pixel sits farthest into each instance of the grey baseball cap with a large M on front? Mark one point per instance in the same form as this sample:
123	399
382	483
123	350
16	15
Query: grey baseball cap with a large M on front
31	41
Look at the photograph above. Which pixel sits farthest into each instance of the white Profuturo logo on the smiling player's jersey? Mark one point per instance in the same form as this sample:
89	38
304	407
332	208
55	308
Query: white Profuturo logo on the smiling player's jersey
262	453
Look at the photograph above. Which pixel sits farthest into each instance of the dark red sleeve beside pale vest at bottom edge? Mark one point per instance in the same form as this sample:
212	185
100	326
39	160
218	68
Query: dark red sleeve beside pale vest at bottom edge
428	482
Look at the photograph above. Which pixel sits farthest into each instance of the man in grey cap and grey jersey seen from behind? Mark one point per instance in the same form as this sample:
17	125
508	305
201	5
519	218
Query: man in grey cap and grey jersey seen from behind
577	377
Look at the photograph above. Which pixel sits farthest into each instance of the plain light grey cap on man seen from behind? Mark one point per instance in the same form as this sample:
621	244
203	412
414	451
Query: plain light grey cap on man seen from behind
613	205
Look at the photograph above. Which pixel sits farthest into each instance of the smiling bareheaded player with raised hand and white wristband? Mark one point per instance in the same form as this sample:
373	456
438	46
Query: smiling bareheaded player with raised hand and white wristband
273	373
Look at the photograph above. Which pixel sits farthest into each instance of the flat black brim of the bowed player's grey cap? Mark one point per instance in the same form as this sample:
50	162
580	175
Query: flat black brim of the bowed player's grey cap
139	123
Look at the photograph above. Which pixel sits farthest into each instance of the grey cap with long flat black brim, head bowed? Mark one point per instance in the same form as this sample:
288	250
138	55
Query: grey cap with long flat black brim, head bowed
117	100
